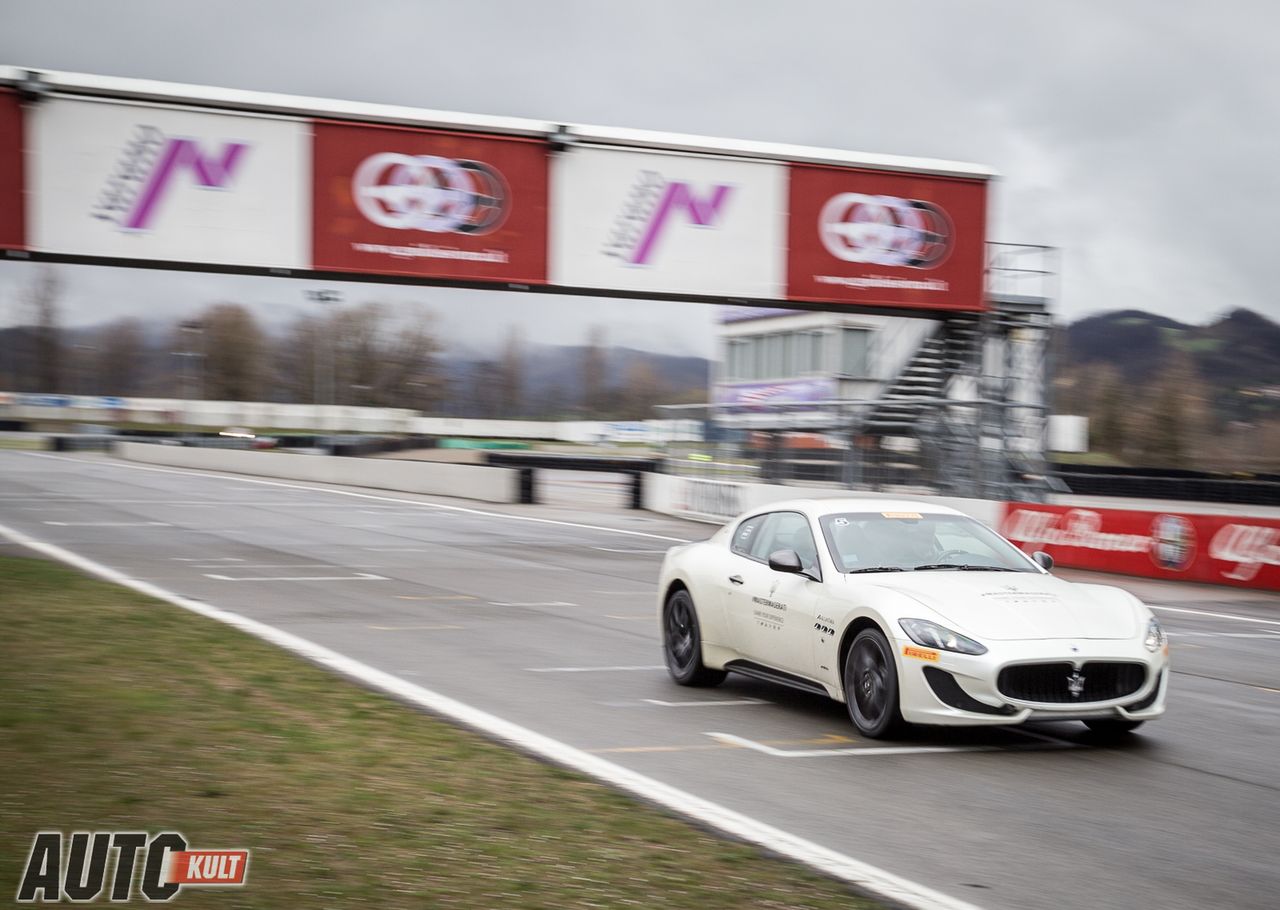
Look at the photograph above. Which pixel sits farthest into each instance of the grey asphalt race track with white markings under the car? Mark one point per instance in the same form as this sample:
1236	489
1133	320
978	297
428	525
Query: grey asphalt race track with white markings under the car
552	627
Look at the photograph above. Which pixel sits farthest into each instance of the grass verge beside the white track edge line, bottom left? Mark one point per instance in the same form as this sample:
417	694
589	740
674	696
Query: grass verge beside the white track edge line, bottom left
126	714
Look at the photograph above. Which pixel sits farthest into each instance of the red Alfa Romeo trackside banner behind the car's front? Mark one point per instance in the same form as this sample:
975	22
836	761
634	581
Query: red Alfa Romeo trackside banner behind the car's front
1210	548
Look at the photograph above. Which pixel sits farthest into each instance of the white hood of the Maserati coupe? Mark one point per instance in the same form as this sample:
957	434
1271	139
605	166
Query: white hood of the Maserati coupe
1005	606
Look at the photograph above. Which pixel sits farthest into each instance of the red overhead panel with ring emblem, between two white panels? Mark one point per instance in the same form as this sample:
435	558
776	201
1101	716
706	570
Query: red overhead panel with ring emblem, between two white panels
431	204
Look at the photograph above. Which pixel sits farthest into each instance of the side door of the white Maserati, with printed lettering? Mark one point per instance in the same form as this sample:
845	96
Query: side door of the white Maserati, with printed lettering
772	614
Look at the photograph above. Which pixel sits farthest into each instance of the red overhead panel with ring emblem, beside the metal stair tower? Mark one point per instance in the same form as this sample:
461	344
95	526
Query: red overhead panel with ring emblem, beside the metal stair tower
892	240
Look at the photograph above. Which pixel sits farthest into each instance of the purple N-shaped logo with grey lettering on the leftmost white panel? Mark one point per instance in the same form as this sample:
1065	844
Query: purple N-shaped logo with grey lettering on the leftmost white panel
147	170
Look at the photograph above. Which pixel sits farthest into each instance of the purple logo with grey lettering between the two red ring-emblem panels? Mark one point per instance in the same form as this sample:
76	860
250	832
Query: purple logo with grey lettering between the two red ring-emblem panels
653	202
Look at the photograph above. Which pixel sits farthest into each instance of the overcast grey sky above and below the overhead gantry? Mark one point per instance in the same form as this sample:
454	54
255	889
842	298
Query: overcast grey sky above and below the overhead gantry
1142	139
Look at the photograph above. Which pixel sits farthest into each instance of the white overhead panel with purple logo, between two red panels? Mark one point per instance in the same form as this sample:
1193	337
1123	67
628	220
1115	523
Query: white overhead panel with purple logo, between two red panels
665	223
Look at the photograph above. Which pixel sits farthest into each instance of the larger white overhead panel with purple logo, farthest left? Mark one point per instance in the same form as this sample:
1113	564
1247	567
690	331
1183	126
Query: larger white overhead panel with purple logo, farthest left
158	184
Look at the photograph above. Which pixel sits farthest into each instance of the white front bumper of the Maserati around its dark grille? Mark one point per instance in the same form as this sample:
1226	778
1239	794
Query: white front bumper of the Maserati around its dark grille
943	688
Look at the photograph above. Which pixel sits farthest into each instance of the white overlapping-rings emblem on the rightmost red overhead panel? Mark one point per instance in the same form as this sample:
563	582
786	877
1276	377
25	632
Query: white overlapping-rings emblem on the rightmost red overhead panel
885	231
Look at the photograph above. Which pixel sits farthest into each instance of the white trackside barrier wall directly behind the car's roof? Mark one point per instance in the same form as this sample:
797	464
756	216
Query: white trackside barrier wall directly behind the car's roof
719	501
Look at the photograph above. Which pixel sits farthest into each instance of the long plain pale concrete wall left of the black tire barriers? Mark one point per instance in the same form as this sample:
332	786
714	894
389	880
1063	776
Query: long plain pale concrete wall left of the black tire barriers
465	482
